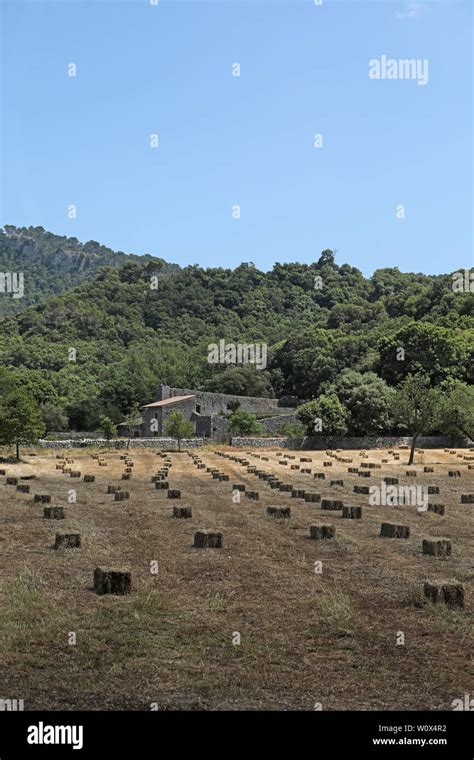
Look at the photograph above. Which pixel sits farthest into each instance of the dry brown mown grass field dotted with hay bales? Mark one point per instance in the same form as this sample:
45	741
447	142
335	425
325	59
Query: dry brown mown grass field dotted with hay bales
306	637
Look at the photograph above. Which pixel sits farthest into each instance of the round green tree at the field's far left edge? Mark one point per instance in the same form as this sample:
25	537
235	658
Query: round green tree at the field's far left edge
20	420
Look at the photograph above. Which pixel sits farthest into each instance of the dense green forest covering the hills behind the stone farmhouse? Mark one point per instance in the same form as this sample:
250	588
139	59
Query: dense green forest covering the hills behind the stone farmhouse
106	328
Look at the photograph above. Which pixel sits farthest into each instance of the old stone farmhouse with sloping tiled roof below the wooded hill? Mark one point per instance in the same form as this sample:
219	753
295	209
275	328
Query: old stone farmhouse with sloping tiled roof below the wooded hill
207	411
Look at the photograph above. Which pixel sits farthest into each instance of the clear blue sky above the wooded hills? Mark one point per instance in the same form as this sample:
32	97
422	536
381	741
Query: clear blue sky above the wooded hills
224	140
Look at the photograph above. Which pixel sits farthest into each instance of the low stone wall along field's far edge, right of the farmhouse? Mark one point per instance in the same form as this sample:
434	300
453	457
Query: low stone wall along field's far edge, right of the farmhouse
365	442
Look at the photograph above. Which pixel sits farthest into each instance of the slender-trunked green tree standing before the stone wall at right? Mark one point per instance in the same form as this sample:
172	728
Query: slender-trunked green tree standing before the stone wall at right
416	407
